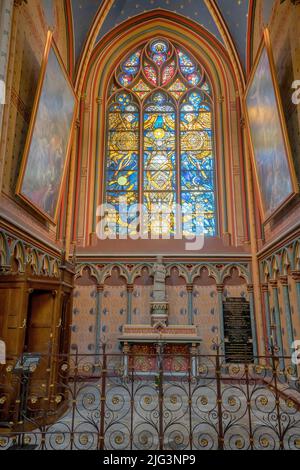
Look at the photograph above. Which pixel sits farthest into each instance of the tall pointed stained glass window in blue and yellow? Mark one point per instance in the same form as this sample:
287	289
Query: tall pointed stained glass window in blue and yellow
160	141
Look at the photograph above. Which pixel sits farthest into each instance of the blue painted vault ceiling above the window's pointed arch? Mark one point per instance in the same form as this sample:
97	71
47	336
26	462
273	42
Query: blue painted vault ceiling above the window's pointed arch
234	12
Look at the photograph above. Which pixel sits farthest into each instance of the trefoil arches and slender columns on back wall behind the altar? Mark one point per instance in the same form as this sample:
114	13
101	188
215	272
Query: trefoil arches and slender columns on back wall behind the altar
218	273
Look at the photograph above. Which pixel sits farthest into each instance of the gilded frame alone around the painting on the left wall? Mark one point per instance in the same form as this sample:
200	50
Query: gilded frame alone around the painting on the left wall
50	43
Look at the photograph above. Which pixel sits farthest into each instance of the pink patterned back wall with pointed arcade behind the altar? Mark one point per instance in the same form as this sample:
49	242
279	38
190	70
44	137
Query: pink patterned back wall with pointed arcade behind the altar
109	295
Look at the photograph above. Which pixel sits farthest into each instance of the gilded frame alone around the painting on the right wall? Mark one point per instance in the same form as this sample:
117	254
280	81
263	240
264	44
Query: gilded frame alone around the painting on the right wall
266	43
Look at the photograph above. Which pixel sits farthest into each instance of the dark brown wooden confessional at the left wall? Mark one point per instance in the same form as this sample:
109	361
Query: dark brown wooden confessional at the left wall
35	318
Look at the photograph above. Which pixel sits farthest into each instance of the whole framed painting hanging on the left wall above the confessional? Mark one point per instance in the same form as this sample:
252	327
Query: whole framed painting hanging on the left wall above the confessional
49	138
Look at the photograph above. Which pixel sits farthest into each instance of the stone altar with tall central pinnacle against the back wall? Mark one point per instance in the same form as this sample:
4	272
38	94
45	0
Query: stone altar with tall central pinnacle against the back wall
158	346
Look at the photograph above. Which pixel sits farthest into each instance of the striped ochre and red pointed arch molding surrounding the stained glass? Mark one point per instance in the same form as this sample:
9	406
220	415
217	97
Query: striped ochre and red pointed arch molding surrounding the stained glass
105	56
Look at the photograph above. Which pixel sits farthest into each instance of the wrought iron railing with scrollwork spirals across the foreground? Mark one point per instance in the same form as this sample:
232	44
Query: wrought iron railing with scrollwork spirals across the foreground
100	402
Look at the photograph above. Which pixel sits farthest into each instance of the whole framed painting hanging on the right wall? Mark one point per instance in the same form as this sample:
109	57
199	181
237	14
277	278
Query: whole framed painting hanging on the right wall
271	152
